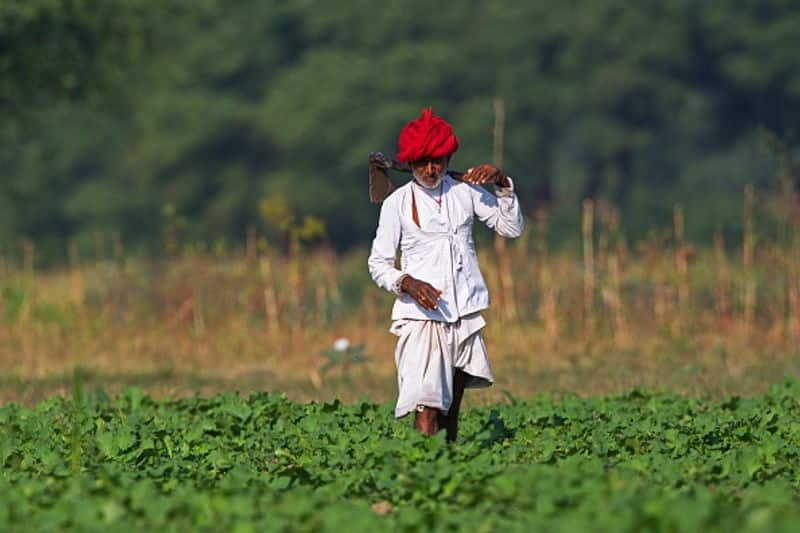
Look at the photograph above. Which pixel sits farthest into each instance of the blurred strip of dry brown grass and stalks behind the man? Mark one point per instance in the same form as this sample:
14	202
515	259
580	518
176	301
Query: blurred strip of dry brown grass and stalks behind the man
658	314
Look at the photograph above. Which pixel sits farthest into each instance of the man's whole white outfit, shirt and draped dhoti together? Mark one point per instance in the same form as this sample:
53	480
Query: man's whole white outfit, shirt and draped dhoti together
431	344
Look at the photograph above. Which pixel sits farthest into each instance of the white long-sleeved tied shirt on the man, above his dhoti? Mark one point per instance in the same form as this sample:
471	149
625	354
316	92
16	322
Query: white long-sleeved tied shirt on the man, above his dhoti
442	251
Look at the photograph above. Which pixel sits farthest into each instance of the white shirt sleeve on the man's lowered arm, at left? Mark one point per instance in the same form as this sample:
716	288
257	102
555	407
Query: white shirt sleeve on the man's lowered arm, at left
384	249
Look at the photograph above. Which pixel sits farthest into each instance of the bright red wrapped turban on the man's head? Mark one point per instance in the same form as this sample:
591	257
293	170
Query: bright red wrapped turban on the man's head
427	136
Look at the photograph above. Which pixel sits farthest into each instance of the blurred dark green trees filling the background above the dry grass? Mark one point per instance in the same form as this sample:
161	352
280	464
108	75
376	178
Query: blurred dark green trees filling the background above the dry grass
117	115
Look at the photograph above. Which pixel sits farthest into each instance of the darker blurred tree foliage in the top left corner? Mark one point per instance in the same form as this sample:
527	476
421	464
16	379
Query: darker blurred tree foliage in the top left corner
51	51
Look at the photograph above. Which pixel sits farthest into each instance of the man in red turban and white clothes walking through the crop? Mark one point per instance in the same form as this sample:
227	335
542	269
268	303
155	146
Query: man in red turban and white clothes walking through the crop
439	287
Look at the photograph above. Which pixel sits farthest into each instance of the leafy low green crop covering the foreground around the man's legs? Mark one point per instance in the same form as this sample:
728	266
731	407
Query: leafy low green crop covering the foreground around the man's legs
640	461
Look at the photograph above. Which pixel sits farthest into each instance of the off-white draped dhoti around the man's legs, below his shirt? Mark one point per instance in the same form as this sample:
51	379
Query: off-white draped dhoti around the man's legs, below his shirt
427	354
